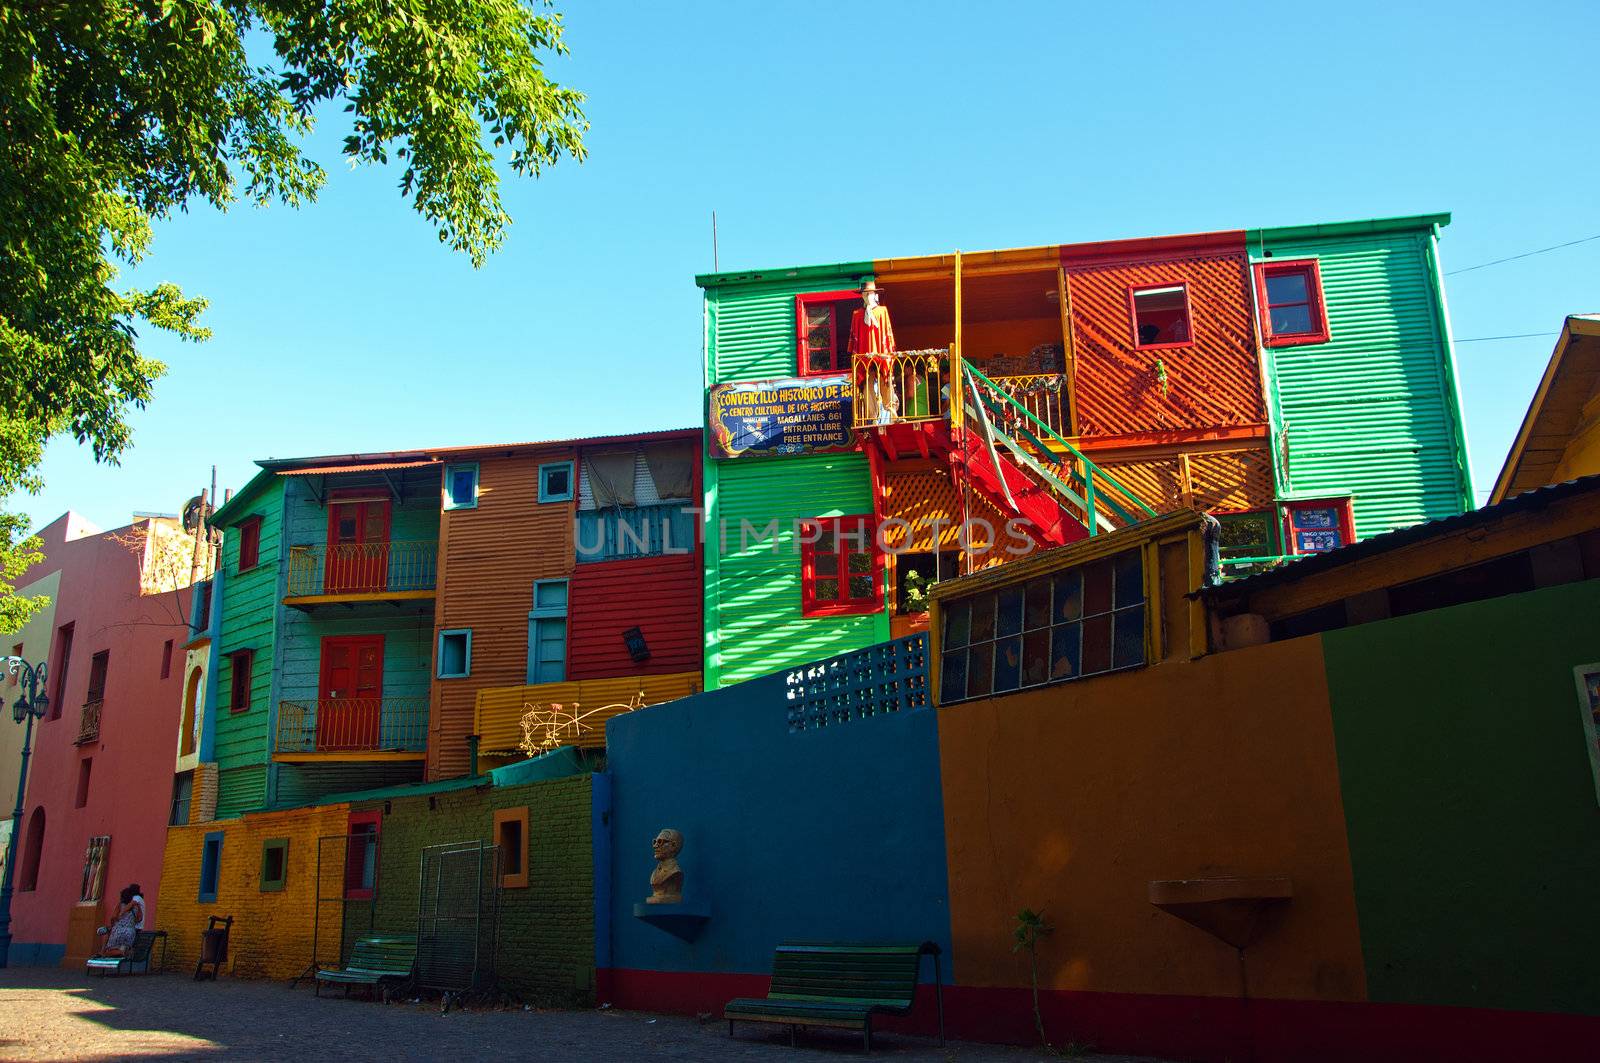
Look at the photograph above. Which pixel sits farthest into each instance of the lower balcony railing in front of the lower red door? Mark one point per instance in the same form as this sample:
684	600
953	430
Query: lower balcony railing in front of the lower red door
353	729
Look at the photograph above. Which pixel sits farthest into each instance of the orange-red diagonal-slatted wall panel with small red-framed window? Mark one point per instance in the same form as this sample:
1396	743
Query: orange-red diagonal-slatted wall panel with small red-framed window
1210	383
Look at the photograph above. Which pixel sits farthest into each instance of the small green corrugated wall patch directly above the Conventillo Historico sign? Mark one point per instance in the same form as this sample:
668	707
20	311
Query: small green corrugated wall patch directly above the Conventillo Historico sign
753	327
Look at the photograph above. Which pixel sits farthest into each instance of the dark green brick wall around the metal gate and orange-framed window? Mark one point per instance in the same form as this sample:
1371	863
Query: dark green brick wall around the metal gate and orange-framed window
548	931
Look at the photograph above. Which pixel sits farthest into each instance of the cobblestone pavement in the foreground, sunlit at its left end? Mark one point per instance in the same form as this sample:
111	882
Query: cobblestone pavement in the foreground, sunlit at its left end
49	1014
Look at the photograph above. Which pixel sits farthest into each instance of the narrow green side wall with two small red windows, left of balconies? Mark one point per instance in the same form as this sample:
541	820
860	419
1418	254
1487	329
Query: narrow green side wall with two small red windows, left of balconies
250	604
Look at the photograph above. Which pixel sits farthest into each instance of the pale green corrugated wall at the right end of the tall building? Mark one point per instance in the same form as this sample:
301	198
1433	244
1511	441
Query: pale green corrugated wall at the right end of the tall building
1374	411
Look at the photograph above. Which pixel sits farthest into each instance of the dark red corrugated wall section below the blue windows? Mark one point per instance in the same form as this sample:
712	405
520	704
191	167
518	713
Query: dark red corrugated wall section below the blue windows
662	596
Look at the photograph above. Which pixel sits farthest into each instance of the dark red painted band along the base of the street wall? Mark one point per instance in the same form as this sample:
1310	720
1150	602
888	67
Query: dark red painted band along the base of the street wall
1175	1027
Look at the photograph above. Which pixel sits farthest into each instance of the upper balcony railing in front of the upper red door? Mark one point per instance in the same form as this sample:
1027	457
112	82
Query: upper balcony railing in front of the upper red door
362	572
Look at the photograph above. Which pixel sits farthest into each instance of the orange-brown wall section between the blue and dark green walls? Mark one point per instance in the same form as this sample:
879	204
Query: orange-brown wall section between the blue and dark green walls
1074	798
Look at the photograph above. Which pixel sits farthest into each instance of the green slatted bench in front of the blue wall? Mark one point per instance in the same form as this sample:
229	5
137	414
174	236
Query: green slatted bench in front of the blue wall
842	985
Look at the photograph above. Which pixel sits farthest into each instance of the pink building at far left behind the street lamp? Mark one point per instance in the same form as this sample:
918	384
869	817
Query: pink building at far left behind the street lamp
97	808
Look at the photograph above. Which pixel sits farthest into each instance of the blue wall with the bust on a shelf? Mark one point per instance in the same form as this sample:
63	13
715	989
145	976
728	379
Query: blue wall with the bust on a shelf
833	833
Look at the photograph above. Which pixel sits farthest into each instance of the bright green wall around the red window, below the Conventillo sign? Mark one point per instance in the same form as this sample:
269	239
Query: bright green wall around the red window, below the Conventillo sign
753	595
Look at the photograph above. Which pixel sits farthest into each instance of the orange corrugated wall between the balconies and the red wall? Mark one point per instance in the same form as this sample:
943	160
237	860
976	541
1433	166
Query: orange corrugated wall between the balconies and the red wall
489	560
